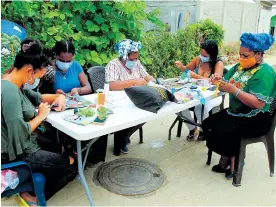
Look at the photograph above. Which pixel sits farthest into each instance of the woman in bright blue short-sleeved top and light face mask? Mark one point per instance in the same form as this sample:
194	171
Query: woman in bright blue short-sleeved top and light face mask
69	77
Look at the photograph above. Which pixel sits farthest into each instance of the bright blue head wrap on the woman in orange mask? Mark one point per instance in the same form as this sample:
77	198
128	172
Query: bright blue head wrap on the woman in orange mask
257	42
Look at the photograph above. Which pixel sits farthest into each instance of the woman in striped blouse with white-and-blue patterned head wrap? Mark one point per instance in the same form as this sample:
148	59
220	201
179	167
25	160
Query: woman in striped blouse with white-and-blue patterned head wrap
124	72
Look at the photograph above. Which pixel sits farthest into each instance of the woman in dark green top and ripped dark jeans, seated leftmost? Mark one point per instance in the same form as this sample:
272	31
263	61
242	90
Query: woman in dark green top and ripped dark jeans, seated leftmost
19	120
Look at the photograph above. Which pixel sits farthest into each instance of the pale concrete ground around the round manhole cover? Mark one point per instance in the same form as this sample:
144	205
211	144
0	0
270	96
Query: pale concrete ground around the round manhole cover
188	180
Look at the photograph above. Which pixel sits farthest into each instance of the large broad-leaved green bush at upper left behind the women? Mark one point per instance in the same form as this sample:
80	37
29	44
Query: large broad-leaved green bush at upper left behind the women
93	26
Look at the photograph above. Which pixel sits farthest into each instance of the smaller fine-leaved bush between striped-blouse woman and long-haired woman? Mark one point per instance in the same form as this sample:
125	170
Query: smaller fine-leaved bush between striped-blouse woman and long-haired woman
162	49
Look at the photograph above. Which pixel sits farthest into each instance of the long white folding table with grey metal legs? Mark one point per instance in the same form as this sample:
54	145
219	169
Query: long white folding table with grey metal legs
126	115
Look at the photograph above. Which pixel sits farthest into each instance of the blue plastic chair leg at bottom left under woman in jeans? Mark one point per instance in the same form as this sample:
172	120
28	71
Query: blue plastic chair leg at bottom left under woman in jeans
39	182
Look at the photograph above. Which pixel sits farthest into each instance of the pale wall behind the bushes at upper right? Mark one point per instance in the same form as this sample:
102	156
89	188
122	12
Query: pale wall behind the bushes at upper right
236	16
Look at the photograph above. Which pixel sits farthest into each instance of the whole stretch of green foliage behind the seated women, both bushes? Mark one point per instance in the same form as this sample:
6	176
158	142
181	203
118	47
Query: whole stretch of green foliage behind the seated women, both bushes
95	26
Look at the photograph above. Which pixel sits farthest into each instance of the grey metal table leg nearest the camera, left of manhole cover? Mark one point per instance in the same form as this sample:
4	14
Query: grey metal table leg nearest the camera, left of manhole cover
81	175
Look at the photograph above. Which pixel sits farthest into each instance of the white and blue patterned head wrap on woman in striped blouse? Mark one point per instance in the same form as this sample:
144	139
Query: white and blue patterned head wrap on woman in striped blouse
127	46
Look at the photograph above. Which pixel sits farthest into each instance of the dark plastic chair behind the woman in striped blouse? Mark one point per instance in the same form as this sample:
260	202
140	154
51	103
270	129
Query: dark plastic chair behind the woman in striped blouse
96	77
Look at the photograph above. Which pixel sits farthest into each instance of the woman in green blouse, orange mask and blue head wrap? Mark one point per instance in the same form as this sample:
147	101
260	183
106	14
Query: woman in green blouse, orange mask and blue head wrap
251	85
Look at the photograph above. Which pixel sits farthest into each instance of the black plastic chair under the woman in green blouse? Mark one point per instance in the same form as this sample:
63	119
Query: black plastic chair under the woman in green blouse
267	139
